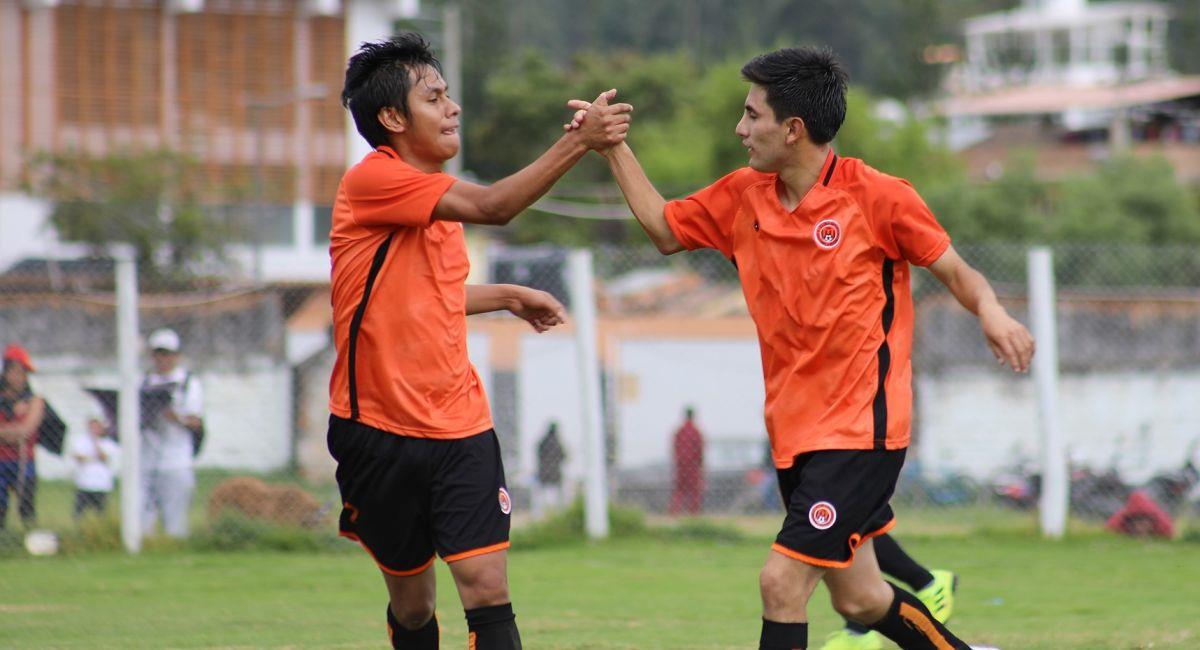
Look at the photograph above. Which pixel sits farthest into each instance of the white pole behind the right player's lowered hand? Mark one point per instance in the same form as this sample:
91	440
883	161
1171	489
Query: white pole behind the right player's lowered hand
1055	487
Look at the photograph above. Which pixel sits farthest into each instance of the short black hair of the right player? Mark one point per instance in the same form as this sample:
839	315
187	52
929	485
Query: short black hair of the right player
806	83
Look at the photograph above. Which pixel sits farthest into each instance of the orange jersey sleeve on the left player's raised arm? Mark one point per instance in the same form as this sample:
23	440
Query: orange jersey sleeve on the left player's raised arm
388	192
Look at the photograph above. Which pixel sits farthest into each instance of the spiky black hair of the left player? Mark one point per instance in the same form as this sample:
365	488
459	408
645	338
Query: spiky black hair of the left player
381	75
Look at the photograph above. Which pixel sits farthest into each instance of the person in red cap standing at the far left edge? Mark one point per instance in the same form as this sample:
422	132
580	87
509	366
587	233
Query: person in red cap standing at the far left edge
21	416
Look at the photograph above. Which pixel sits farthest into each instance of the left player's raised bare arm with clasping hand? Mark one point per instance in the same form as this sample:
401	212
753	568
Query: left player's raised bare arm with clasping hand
499	203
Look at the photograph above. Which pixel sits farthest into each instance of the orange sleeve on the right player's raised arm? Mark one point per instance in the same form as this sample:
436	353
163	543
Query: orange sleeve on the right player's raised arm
705	220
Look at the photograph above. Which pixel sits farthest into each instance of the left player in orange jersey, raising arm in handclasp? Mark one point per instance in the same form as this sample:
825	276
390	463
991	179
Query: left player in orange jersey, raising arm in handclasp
418	462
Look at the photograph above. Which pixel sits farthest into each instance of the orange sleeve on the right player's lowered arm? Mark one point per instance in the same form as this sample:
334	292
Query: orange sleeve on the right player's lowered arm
908	228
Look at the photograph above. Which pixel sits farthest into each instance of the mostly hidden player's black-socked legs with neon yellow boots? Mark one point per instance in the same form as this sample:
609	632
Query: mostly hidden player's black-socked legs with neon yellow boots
935	588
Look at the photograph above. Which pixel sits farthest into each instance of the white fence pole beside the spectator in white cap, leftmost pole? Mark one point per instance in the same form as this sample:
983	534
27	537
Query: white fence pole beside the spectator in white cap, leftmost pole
129	408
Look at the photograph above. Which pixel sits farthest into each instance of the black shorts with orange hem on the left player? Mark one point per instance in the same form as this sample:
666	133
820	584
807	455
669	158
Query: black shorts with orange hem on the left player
406	498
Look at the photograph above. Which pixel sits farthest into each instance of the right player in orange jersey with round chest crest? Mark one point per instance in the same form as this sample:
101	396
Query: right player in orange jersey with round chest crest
824	248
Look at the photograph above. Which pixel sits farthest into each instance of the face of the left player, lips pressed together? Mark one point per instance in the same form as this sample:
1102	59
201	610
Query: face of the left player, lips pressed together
433	127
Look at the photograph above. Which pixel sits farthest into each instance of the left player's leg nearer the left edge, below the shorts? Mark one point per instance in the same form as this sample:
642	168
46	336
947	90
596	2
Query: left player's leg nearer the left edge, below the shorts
412	604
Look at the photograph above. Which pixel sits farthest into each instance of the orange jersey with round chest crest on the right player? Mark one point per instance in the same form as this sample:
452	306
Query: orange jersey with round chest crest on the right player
827	286
